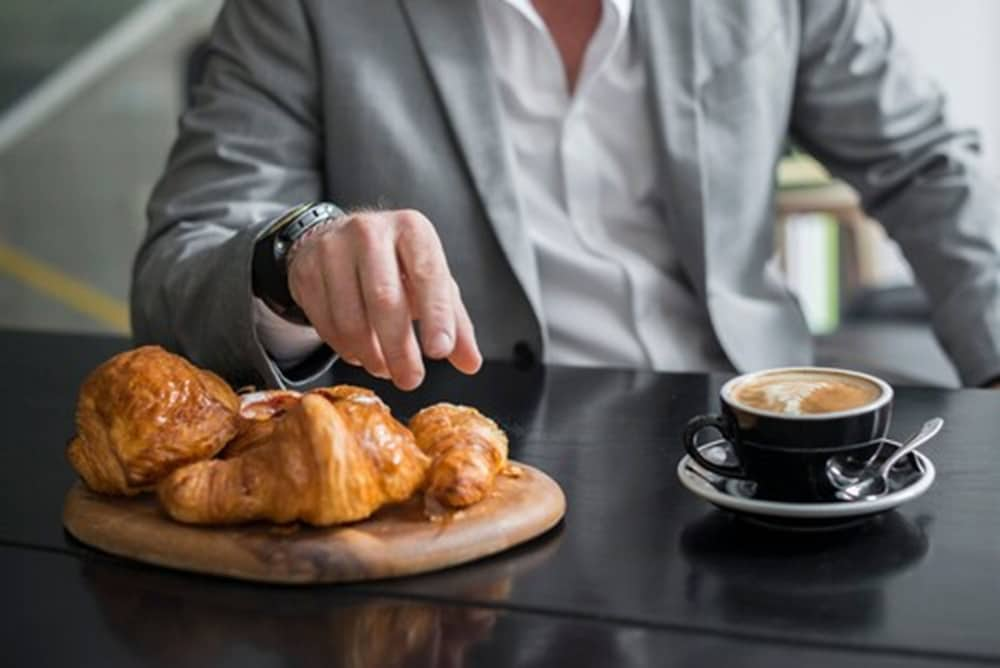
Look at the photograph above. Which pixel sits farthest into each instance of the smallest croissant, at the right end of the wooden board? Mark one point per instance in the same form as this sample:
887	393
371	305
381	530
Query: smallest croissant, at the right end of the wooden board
467	450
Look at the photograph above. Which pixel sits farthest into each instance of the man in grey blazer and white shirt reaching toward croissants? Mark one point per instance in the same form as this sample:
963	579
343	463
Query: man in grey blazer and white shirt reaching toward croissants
587	182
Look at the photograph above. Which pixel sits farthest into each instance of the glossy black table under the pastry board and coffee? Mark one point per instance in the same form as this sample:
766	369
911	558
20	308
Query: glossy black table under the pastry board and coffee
641	572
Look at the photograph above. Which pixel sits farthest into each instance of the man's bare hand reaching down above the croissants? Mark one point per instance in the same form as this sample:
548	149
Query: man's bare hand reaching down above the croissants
362	280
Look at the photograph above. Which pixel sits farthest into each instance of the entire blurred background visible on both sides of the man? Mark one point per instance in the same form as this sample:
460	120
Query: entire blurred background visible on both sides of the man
89	97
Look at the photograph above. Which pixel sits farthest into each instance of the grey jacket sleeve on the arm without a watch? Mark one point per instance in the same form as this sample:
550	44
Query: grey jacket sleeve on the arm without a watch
863	109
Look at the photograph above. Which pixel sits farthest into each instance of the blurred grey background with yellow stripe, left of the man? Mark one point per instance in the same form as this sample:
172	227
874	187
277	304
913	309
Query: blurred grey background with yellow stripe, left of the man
90	93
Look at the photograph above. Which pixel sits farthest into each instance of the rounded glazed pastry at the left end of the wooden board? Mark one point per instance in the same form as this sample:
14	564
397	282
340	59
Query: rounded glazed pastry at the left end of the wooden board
144	413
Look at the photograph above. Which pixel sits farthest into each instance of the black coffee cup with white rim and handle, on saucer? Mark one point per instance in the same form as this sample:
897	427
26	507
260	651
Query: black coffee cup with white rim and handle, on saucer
785	424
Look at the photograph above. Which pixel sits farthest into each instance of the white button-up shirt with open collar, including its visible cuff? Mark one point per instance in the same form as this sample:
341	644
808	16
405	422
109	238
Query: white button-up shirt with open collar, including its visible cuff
589	188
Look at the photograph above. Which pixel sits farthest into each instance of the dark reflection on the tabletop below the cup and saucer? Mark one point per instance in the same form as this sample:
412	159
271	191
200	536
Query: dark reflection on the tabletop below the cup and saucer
811	582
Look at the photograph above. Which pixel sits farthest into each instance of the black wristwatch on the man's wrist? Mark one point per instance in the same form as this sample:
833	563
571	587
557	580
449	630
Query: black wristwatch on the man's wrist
270	257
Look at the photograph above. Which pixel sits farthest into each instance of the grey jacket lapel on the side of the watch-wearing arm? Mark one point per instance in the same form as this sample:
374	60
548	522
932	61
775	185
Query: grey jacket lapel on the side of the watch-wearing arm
452	40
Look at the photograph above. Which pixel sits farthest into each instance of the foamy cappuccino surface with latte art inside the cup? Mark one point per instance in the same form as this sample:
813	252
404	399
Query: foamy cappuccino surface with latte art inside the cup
805	392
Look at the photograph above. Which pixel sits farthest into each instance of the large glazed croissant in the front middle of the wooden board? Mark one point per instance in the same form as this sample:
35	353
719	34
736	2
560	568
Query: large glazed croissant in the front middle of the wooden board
335	456
